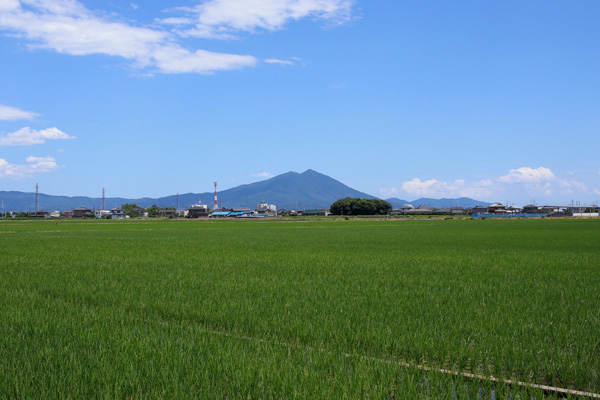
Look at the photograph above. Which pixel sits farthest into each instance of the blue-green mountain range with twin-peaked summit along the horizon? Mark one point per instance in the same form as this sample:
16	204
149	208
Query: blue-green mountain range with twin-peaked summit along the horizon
292	190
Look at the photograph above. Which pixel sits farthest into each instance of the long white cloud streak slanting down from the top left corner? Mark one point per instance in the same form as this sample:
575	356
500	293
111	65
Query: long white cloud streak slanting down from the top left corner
68	27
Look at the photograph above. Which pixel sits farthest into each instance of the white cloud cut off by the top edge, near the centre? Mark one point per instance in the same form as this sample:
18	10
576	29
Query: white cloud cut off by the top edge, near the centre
222	18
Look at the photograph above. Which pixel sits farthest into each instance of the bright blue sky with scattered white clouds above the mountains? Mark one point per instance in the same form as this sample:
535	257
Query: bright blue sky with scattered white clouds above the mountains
499	101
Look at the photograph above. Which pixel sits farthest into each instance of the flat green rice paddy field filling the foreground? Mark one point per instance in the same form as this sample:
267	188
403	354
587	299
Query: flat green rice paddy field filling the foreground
299	309
